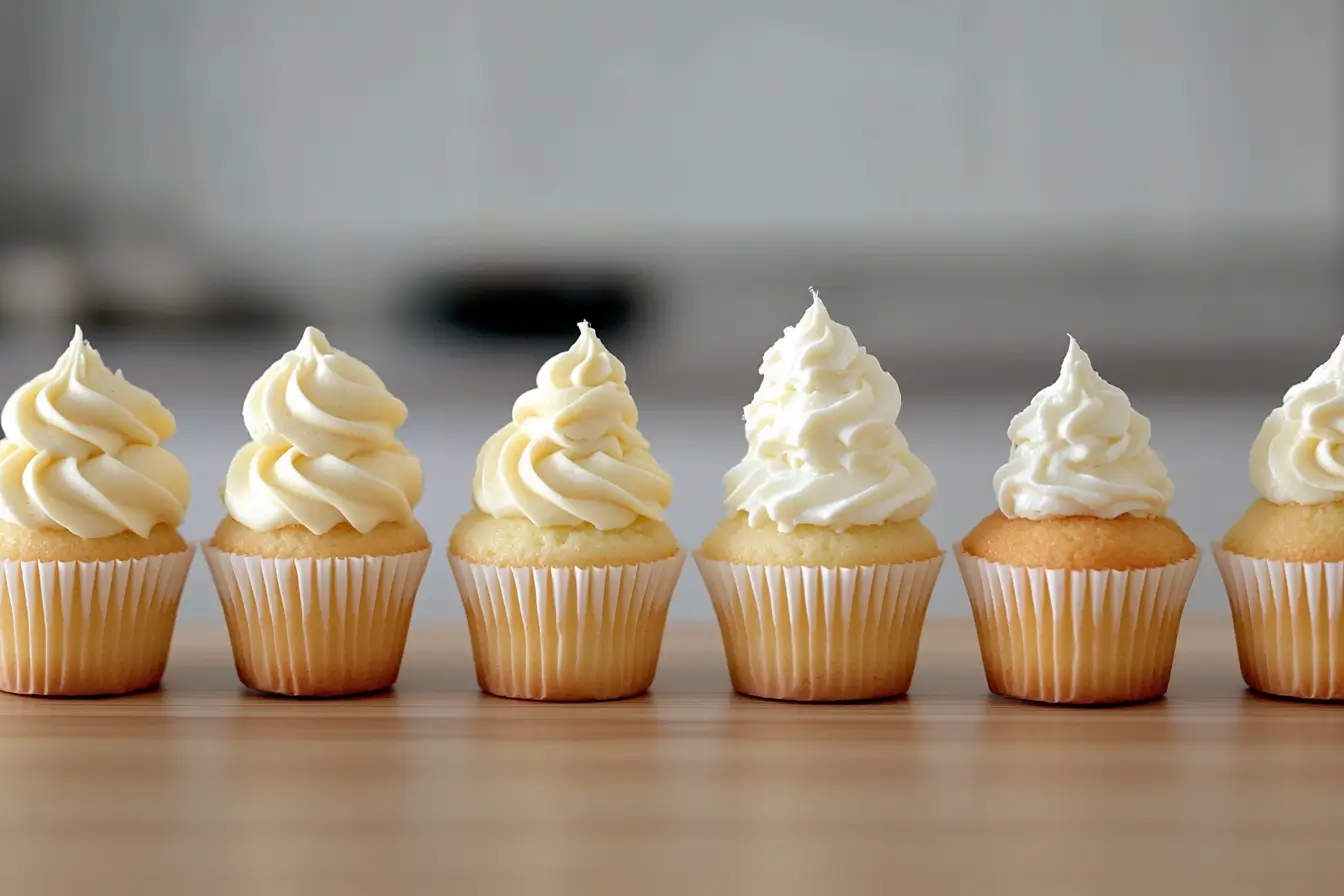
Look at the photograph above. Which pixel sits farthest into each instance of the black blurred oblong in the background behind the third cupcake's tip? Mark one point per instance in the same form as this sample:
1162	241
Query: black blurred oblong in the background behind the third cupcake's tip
530	303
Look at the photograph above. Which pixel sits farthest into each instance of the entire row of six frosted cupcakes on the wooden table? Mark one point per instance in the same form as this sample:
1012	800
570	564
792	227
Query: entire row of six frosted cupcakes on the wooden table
821	574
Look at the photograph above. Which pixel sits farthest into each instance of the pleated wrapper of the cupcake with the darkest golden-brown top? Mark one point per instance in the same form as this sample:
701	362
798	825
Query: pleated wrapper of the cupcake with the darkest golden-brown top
1077	636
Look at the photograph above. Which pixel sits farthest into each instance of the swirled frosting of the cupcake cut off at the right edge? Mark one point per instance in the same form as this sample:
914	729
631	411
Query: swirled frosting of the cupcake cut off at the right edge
1299	456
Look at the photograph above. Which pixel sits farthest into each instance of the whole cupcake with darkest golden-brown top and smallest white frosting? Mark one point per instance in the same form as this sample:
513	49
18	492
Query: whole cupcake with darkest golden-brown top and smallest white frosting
1077	582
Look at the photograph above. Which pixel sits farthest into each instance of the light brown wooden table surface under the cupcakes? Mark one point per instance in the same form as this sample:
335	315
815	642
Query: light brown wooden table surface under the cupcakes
202	788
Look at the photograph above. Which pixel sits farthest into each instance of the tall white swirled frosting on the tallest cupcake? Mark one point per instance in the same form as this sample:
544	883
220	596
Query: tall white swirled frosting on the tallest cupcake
823	445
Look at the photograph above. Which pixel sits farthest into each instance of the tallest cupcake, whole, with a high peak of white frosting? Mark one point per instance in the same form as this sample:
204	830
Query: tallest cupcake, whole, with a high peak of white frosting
822	573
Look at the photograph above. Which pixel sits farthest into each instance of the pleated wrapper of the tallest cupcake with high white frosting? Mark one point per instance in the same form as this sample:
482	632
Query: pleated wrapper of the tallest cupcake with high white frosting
818	633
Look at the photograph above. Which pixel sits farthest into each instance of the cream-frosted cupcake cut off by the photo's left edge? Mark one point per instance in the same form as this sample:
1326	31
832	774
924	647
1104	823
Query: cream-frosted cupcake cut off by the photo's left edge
91	504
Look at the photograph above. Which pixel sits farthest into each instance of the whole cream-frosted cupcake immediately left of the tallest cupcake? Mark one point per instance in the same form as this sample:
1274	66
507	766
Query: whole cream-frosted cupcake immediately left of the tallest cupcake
565	565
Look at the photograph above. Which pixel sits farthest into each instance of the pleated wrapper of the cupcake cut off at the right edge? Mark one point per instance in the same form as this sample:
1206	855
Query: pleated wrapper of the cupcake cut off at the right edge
1290	623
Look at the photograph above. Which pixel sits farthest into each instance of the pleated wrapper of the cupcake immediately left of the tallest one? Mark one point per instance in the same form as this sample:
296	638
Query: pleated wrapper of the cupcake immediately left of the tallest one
566	633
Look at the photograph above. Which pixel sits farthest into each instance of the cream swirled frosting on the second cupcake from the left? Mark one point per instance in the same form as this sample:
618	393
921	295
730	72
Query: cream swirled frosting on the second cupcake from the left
325	448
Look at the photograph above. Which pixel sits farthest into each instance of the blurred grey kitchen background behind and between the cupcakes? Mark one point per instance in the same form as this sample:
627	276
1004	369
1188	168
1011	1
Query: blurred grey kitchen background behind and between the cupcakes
447	187
